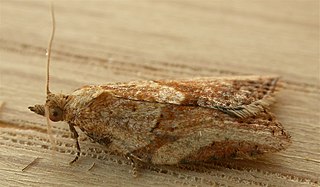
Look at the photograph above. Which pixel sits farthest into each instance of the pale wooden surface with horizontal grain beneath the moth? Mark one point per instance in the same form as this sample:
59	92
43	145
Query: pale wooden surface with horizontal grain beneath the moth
109	41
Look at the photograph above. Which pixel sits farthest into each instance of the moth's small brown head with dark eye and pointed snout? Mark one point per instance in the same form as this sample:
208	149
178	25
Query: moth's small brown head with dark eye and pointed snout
55	106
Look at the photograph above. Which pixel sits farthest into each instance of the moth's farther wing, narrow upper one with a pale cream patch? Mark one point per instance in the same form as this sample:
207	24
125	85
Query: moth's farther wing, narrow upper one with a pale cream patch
241	96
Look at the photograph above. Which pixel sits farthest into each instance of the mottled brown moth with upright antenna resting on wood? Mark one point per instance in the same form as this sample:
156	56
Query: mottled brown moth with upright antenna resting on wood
169	122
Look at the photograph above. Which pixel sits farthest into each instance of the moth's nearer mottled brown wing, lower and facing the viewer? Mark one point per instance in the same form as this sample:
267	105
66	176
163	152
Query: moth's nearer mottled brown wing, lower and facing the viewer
164	133
